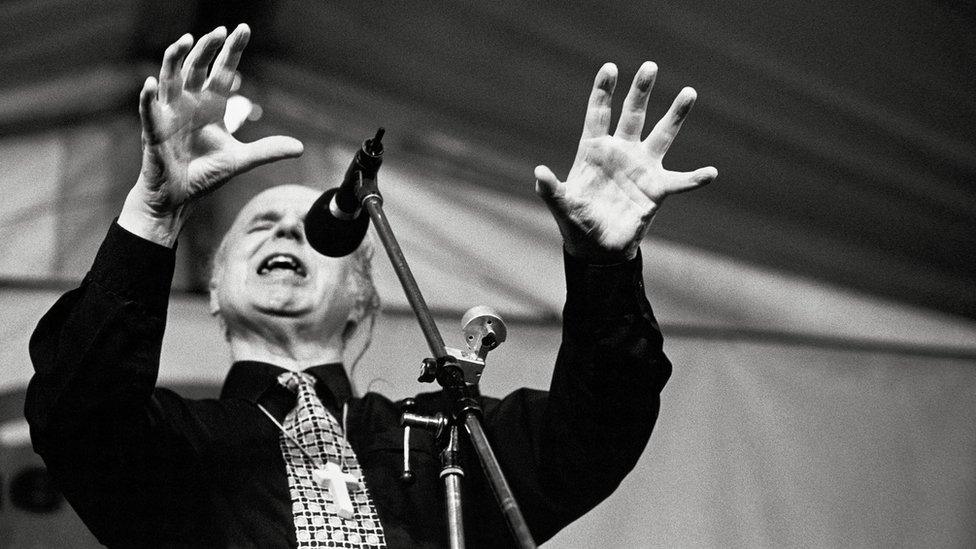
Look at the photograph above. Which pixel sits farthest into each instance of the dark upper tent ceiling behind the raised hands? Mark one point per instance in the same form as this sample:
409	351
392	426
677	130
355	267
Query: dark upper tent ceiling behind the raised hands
842	132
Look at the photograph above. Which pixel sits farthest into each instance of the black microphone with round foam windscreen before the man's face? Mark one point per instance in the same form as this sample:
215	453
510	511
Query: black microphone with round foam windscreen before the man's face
335	225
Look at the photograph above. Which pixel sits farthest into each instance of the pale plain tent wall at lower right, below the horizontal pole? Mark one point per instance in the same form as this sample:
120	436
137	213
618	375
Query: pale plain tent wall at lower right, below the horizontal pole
762	444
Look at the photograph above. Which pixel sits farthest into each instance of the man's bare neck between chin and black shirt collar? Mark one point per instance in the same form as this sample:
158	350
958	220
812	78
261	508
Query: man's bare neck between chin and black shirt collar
284	349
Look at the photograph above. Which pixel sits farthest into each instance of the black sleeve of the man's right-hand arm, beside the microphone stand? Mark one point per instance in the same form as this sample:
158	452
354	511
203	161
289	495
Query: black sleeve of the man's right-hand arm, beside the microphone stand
568	449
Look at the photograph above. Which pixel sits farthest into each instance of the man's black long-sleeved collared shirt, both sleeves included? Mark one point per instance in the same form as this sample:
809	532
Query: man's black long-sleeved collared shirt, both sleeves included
144	466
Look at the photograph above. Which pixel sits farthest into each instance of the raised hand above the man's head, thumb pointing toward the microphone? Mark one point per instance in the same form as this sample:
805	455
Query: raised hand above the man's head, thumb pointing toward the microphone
187	151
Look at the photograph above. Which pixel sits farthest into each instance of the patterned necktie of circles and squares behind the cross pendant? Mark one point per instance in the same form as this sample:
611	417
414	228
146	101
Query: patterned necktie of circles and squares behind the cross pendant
317	523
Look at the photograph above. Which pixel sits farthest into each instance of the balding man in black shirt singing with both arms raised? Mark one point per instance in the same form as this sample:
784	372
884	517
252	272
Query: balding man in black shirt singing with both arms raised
289	455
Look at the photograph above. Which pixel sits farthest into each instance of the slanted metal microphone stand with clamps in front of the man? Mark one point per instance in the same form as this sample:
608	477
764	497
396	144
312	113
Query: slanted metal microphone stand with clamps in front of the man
454	375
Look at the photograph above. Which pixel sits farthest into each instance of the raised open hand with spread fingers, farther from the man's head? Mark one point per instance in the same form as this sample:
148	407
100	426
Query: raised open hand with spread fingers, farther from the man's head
617	182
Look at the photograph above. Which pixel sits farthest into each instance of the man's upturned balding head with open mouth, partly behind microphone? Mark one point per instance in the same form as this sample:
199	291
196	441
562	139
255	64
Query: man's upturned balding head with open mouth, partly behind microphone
267	272
